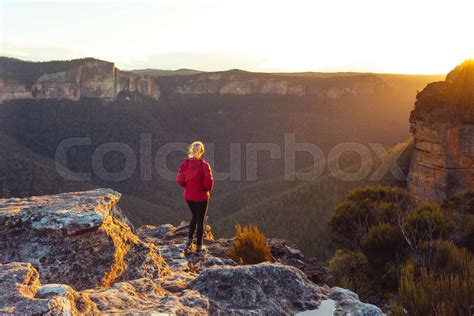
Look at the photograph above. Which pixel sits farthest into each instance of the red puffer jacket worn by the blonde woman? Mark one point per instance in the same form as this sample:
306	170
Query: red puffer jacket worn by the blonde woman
195	176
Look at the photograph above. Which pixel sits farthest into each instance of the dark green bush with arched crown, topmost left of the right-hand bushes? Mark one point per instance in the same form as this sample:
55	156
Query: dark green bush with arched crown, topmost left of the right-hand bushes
363	208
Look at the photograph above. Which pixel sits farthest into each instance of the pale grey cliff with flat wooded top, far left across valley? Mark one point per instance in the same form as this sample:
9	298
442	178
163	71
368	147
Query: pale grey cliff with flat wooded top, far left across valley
69	80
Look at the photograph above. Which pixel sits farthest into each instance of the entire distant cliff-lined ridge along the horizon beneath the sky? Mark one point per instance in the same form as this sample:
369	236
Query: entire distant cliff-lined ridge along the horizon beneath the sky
90	77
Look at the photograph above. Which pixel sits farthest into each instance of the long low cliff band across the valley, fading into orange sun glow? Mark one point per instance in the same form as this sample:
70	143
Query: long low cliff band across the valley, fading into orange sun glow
246	83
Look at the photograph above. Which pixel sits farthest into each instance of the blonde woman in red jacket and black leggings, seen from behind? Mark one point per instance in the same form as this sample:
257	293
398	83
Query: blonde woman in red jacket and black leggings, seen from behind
195	176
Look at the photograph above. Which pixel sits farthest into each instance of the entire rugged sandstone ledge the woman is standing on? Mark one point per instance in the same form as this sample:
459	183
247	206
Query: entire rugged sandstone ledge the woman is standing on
73	253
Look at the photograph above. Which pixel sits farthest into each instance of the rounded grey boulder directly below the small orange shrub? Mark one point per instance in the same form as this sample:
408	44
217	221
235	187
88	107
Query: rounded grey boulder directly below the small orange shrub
266	288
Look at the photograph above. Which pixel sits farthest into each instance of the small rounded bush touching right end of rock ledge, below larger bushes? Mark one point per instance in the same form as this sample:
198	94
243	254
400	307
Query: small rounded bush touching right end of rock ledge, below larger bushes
351	270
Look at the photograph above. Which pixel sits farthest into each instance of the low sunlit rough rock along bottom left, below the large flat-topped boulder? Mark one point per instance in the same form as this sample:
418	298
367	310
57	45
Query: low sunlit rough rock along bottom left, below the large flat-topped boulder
22	293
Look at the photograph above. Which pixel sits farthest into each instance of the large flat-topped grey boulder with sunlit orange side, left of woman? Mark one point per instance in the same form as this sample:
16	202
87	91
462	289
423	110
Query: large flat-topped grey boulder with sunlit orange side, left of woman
76	239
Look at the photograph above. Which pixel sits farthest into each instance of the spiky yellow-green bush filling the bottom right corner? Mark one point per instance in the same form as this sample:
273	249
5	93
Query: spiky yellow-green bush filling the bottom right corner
445	289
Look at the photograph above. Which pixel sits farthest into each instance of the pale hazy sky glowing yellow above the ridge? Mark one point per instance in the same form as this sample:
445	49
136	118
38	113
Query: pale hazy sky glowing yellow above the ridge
333	35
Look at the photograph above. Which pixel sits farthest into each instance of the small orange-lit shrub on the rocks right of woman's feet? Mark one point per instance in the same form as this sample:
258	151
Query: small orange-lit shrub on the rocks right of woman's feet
250	246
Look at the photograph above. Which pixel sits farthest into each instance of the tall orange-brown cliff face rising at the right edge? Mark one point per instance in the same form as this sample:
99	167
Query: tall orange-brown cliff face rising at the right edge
442	123
